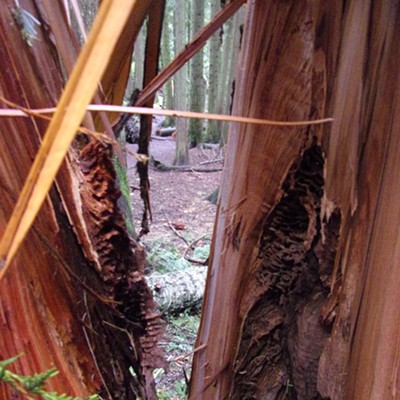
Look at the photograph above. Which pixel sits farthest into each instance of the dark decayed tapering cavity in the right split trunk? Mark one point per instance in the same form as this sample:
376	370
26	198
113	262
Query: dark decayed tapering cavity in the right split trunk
282	333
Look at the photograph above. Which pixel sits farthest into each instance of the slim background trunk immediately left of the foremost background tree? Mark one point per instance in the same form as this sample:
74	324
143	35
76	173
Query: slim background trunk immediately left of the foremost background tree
166	58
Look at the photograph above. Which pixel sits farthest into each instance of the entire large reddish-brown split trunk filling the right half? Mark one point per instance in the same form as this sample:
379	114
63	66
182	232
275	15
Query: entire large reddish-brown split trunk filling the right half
302	293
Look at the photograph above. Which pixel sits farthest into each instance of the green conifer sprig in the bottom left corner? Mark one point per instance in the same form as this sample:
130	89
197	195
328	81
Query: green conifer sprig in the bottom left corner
30	386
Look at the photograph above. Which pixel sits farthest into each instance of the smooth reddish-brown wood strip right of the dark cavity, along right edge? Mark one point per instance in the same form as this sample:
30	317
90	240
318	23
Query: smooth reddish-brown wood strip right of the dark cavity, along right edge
361	359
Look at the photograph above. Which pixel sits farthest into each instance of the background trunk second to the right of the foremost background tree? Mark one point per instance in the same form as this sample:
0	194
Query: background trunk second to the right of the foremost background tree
213	134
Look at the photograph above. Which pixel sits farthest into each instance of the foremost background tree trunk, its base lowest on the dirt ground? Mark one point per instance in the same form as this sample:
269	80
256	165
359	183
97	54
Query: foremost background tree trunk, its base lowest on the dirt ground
180	84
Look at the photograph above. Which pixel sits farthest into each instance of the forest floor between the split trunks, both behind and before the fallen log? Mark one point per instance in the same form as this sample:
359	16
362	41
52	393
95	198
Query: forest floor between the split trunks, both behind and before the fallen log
180	215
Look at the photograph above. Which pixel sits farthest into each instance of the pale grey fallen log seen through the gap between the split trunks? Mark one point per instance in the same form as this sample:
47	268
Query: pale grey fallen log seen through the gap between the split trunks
177	291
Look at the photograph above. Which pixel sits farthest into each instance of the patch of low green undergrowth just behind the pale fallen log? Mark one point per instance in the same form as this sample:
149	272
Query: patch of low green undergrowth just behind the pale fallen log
164	257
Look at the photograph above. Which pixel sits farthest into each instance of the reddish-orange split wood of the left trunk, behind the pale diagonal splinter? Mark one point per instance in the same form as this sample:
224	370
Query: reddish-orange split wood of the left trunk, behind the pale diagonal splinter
39	301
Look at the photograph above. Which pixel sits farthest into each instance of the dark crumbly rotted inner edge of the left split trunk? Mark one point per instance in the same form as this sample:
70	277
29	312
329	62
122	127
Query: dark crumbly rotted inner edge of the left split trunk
127	333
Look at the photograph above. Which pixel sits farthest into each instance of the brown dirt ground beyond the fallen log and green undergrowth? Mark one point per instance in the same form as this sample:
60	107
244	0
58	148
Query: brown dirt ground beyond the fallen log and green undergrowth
177	198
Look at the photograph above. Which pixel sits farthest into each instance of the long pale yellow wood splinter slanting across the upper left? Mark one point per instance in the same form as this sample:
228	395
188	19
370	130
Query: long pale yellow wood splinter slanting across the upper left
62	128
